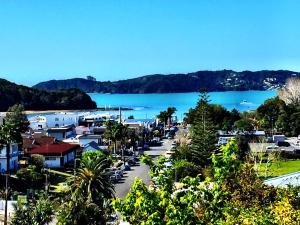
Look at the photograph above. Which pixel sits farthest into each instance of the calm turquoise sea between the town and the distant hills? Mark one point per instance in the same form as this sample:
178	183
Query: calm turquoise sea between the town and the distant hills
149	105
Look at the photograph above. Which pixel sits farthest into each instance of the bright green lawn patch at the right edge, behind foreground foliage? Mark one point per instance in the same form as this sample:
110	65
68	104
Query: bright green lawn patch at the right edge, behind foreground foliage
280	168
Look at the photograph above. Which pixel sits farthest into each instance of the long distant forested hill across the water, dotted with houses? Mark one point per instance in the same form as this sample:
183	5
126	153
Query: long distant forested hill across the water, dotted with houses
223	80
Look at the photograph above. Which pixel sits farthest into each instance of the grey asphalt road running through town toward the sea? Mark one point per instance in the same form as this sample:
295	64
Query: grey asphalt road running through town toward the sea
141	170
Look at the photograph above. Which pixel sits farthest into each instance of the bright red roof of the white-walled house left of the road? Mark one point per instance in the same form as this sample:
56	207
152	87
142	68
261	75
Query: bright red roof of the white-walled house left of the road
54	149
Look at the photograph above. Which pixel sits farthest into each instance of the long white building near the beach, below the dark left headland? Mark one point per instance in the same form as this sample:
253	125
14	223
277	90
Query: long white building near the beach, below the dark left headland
40	122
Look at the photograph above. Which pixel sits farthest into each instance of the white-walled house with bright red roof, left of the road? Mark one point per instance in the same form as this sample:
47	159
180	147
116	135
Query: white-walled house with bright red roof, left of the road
56	155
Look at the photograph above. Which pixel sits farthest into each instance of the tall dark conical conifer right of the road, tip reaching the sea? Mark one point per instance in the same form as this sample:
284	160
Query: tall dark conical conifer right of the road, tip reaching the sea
203	134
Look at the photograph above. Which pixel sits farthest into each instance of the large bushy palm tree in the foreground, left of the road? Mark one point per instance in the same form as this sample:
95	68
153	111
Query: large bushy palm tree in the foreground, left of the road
89	194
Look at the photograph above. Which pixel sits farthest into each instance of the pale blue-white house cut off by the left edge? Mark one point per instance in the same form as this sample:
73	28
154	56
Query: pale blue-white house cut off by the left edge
13	153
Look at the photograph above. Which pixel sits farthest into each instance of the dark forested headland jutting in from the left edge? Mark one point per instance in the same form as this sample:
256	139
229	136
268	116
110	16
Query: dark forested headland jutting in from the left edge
34	99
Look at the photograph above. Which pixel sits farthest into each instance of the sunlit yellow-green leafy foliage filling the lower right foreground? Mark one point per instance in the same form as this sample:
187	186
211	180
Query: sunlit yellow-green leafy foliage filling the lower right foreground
235	195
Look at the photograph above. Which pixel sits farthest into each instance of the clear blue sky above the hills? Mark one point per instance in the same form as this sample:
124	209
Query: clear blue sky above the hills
118	39
